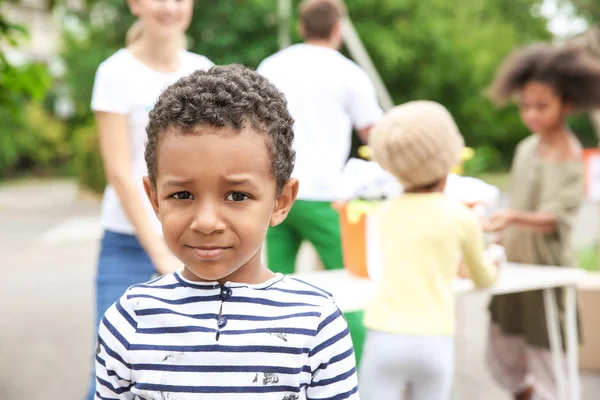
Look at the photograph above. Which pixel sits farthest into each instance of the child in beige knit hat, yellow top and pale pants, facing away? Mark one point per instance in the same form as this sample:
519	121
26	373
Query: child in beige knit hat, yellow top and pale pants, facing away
410	341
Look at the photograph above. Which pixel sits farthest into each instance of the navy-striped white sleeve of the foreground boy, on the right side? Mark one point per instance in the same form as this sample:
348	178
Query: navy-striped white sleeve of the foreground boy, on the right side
332	359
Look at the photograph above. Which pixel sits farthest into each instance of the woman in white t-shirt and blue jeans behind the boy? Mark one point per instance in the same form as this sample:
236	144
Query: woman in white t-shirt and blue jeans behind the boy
126	87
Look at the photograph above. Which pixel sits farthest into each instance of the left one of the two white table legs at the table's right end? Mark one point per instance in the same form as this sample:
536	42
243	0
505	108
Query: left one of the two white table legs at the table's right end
555	341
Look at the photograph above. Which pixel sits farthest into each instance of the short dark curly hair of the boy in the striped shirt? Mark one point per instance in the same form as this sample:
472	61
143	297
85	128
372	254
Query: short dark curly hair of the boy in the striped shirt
225	96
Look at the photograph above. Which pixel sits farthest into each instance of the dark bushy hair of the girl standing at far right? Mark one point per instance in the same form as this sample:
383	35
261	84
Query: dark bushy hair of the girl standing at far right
569	69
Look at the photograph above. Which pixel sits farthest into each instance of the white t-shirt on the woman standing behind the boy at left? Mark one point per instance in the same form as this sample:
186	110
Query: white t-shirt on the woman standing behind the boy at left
125	85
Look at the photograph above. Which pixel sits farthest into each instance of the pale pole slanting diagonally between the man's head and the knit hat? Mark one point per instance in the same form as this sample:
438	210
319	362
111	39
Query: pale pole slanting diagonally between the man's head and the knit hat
361	56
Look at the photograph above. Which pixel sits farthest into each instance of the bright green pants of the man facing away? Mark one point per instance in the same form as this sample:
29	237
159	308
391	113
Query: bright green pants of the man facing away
318	223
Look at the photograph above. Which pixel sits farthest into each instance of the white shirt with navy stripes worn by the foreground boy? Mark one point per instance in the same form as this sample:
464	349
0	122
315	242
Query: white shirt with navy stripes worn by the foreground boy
176	339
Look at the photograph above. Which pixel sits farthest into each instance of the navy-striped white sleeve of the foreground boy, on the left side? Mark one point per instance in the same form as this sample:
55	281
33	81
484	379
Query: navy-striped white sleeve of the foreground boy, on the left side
113	373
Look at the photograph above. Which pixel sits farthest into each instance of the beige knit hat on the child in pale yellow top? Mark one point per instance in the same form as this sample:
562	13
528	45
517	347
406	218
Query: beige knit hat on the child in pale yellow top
418	142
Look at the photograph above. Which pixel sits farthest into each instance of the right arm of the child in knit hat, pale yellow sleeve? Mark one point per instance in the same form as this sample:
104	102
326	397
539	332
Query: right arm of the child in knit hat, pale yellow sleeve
482	272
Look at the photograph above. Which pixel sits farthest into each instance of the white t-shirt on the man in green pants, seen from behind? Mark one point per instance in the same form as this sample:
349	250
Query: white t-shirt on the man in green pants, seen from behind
327	95
